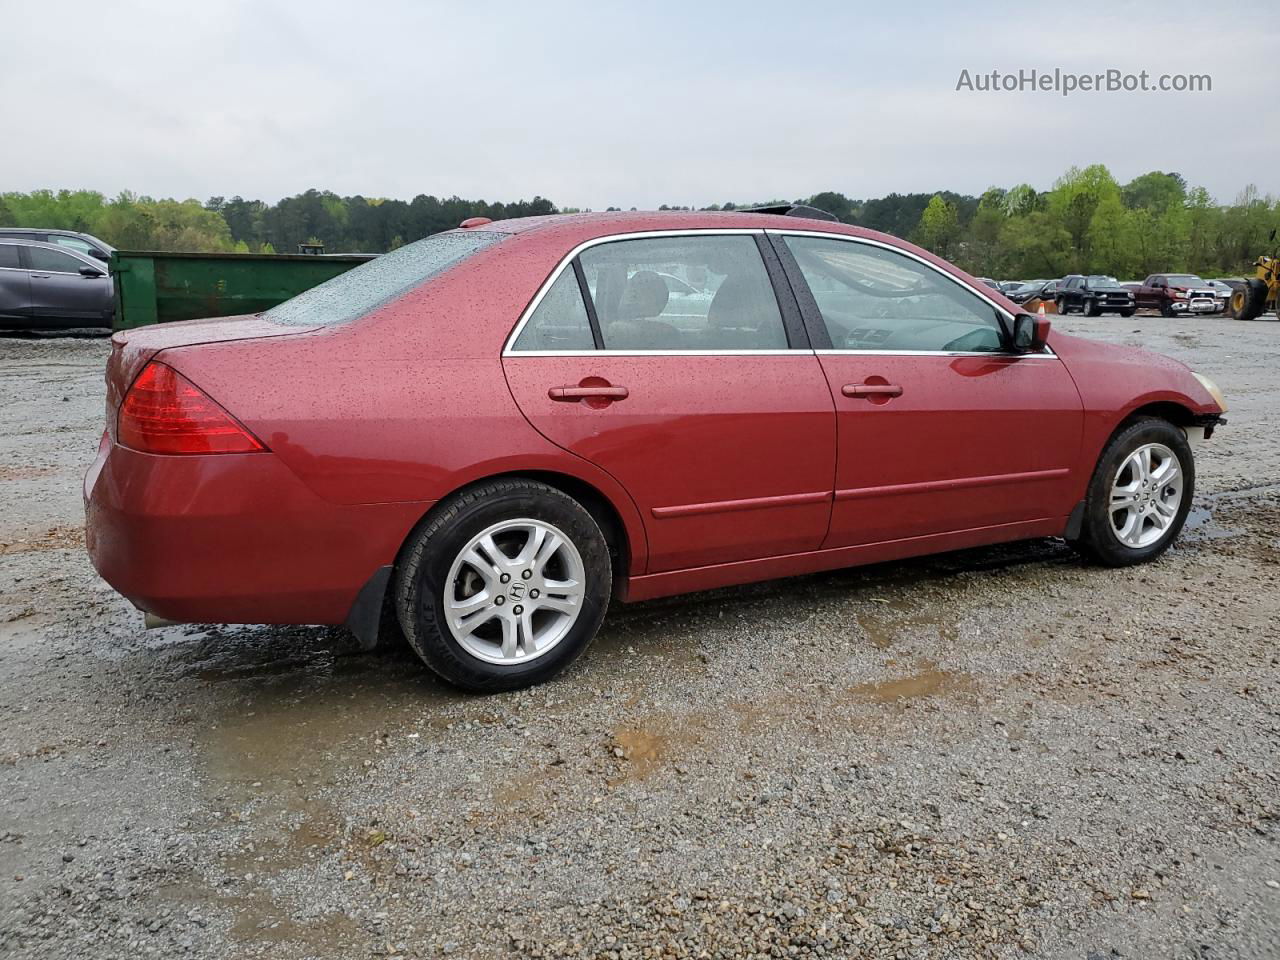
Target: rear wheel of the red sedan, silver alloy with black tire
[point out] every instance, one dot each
(505, 587)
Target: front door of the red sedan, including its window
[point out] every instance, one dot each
(939, 428)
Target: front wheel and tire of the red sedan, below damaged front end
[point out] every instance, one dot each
(1140, 495)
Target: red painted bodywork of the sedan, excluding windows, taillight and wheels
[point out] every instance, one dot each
(720, 469)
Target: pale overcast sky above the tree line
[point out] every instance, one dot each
(629, 104)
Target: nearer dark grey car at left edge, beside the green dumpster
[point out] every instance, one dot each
(44, 286)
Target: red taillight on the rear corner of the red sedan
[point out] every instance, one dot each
(166, 413)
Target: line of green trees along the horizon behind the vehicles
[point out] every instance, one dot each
(1087, 222)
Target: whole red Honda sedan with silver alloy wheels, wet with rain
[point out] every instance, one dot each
(483, 437)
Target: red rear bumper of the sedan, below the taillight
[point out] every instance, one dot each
(232, 538)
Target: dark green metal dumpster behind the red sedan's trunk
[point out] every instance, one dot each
(157, 287)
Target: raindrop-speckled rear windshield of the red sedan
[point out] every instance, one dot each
(369, 286)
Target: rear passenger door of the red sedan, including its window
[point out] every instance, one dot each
(707, 405)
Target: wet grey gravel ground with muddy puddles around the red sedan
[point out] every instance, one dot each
(993, 753)
